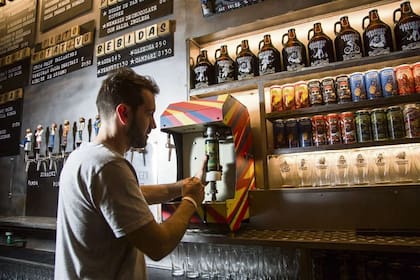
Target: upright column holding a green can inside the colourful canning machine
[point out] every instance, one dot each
(214, 169)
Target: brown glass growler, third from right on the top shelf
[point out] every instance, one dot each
(348, 43)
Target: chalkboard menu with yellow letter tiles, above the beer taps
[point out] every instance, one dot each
(63, 53)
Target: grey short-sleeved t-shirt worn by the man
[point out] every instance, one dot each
(99, 203)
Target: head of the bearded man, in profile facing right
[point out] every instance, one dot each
(129, 99)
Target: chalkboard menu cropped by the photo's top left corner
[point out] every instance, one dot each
(17, 25)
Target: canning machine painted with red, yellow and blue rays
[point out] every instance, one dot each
(219, 127)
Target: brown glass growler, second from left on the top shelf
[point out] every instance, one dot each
(224, 66)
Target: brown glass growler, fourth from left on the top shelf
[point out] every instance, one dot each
(268, 56)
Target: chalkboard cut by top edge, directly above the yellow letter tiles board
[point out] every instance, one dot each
(55, 12)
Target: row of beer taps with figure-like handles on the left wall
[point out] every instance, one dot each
(33, 142)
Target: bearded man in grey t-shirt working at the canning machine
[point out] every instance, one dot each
(104, 224)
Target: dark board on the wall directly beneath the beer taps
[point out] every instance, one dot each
(42, 188)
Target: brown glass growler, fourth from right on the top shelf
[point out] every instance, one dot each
(320, 47)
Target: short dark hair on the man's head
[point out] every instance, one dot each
(123, 86)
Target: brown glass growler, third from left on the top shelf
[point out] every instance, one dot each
(246, 62)
